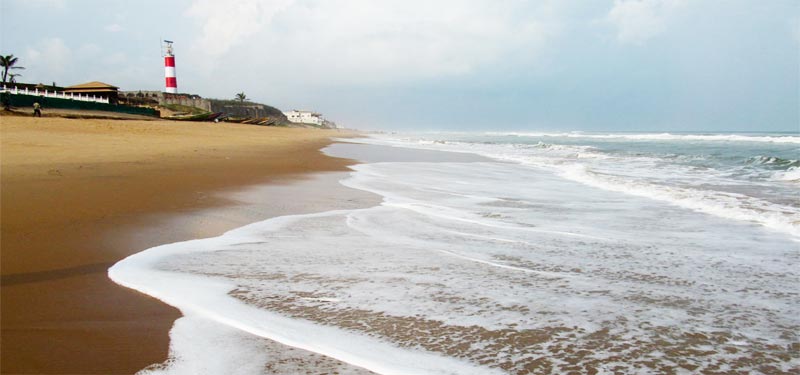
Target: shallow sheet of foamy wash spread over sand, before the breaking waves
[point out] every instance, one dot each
(488, 267)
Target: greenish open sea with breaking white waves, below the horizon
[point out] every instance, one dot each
(690, 179)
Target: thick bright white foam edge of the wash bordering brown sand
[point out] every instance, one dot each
(207, 297)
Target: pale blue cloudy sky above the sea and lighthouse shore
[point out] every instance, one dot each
(471, 65)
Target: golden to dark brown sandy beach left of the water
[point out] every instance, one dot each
(78, 195)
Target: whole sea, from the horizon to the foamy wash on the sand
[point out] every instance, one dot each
(551, 253)
